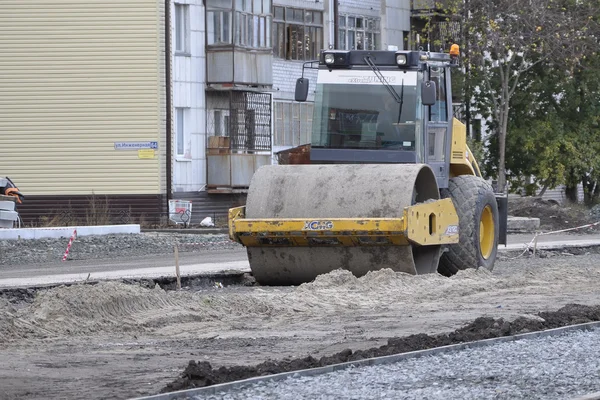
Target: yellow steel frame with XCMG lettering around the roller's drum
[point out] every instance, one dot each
(413, 227)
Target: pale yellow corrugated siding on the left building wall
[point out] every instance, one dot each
(76, 77)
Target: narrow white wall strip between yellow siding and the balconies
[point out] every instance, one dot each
(189, 77)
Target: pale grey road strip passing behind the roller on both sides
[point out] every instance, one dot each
(198, 263)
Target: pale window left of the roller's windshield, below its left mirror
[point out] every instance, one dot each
(293, 123)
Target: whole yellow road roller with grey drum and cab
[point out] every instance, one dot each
(388, 180)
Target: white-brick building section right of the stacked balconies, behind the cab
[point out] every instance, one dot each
(301, 29)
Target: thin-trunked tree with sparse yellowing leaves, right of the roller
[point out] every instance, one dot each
(508, 38)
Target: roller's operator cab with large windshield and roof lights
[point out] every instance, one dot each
(383, 107)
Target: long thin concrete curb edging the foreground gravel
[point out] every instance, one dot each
(186, 394)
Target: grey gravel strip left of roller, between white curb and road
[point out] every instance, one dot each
(19, 252)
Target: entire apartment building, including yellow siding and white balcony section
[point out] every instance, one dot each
(142, 101)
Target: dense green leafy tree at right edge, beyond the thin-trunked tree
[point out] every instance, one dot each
(554, 126)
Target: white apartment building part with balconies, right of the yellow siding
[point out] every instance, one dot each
(254, 50)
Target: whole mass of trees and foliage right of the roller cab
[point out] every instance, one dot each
(531, 70)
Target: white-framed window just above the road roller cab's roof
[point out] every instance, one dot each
(359, 33)
